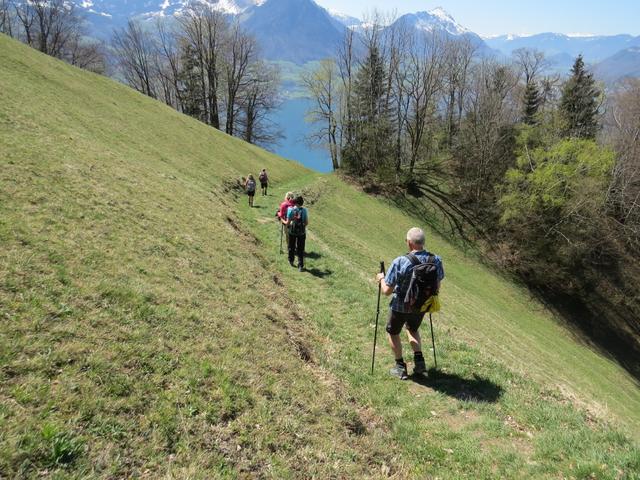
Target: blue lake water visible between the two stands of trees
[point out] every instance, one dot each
(290, 117)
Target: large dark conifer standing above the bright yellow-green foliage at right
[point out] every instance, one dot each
(579, 103)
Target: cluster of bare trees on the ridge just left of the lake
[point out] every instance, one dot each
(205, 66)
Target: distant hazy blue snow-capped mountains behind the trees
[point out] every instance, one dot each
(300, 31)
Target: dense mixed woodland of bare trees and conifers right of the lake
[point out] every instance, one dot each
(546, 169)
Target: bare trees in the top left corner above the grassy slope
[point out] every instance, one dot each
(55, 28)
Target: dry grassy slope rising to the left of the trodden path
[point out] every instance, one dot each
(140, 324)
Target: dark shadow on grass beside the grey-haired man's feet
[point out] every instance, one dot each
(477, 389)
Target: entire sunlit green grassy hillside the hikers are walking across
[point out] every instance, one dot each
(151, 329)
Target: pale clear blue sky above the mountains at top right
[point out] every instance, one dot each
(492, 17)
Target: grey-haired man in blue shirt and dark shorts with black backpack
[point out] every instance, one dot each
(409, 308)
